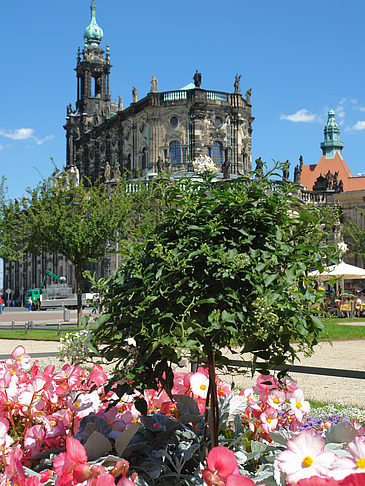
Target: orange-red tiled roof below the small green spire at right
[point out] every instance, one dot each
(311, 172)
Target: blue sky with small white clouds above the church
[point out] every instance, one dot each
(298, 58)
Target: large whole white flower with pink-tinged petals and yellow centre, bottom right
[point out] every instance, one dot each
(305, 457)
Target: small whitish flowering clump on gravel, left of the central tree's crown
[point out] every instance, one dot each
(73, 346)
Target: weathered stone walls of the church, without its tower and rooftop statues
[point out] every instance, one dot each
(162, 131)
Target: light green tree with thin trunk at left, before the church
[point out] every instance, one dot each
(78, 220)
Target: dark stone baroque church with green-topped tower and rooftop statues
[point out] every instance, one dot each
(160, 131)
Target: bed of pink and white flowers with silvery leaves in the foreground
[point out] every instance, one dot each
(64, 428)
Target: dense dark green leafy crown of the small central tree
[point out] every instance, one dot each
(227, 265)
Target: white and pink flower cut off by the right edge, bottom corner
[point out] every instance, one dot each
(344, 466)
